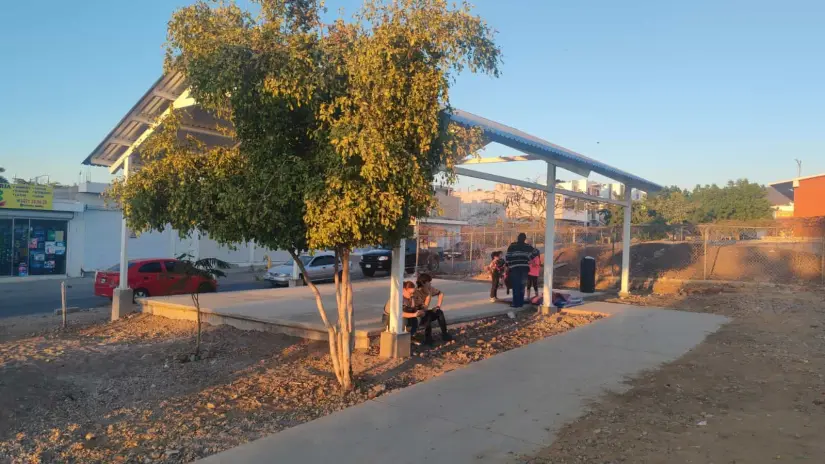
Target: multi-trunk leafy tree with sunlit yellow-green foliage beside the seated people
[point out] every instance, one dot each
(338, 130)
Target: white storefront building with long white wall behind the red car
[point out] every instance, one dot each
(78, 233)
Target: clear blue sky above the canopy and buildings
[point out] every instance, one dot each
(680, 93)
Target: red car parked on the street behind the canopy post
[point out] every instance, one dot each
(152, 277)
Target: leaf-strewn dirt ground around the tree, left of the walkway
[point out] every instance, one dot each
(127, 391)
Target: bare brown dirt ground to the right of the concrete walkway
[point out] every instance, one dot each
(754, 392)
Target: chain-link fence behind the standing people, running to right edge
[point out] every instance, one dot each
(775, 253)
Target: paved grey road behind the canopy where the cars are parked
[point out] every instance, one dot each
(23, 298)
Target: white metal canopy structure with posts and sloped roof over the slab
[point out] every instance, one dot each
(170, 93)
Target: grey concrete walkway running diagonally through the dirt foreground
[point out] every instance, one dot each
(496, 410)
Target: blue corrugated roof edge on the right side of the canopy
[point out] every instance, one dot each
(527, 143)
